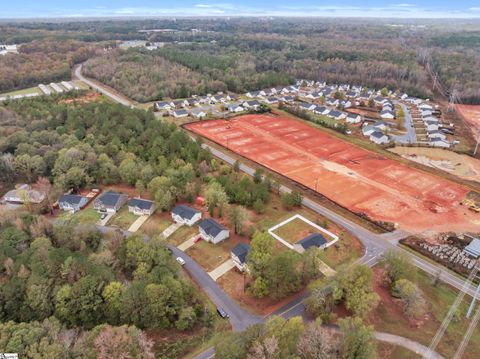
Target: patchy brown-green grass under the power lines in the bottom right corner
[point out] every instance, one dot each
(389, 317)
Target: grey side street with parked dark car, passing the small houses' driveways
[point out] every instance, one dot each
(239, 317)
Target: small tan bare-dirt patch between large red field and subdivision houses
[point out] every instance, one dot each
(462, 166)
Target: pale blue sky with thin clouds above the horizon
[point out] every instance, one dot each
(177, 8)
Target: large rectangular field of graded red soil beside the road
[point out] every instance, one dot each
(355, 178)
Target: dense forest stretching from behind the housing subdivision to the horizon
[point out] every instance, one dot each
(244, 54)
